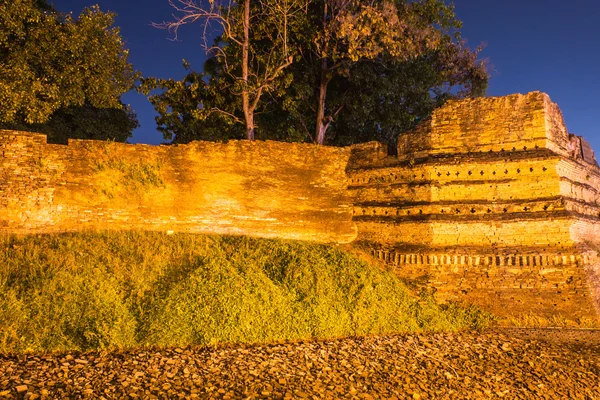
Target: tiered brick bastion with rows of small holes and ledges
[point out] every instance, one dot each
(492, 199)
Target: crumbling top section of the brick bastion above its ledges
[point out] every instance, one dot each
(509, 123)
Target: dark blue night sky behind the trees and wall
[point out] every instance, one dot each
(548, 45)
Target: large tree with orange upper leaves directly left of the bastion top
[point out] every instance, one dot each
(409, 52)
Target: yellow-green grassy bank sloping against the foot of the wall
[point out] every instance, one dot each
(126, 289)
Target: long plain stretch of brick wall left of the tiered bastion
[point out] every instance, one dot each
(267, 189)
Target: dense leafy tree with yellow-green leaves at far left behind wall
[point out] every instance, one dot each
(58, 74)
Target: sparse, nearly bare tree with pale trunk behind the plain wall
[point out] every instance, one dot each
(239, 24)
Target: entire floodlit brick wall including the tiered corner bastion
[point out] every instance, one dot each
(492, 199)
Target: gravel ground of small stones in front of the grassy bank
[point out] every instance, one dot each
(501, 363)
